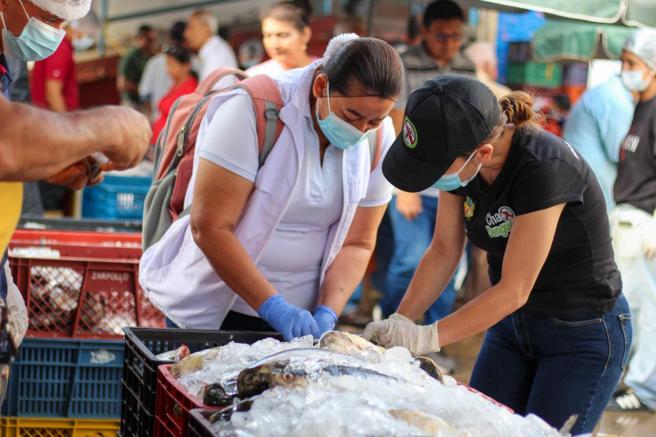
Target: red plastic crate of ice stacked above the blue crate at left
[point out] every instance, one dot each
(90, 291)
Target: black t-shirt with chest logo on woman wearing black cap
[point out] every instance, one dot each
(579, 276)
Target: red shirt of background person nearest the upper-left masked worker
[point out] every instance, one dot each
(58, 66)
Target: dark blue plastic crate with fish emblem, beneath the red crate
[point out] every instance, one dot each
(78, 379)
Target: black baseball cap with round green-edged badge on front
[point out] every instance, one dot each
(448, 117)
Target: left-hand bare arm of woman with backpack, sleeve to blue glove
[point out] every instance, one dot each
(219, 200)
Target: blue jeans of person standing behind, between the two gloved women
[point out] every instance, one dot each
(411, 239)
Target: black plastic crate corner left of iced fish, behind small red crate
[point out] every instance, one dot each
(140, 367)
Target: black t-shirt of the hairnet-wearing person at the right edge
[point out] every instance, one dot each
(636, 172)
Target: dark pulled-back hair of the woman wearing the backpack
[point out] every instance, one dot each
(369, 63)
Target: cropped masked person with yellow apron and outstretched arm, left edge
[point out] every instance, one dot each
(38, 144)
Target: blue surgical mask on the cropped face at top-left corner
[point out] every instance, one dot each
(37, 41)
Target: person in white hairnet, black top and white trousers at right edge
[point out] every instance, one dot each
(633, 222)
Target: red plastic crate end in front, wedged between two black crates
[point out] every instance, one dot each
(174, 405)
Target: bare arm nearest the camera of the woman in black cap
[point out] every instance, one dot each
(528, 246)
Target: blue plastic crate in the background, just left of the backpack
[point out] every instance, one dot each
(117, 197)
